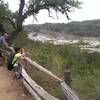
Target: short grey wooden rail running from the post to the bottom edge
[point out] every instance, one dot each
(68, 92)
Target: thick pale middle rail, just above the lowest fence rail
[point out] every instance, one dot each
(40, 91)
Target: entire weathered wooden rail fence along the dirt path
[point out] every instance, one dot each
(37, 91)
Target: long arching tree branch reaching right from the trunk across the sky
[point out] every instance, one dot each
(35, 8)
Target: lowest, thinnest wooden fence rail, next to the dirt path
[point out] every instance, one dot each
(33, 93)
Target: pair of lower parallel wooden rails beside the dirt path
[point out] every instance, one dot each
(39, 91)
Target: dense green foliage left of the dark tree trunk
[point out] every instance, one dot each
(6, 16)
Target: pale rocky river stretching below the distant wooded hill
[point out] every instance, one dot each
(90, 43)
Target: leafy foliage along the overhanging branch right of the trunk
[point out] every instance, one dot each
(63, 6)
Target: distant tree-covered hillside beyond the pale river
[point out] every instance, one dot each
(84, 28)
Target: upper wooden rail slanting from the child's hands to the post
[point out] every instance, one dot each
(33, 63)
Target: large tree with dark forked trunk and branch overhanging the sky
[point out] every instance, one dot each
(34, 6)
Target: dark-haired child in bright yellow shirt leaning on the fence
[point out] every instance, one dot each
(19, 53)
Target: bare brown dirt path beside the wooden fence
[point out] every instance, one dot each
(10, 88)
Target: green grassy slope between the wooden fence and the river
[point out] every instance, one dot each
(84, 67)
